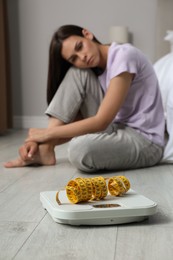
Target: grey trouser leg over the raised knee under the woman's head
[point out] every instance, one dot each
(79, 92)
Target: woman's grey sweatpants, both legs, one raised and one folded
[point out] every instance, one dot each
(118, 147)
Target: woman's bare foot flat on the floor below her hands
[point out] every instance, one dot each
(44, 156)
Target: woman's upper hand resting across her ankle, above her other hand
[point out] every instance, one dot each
(39, 135)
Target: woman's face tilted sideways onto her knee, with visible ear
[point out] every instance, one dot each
(82, 52)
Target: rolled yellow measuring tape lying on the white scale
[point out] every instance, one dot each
(96, 188)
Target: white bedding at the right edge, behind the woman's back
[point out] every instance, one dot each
(163, 69)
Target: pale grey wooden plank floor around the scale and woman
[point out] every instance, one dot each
(28, 232)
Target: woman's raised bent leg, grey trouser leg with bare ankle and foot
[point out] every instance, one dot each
(79, 93)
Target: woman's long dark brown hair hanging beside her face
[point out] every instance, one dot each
(58, 66)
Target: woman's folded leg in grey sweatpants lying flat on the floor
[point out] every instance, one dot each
(118, 148)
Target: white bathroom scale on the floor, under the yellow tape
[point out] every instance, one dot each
(131, 207)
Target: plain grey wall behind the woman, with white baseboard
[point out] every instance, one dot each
(31, 25)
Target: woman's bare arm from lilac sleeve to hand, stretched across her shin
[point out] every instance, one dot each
(109, 107)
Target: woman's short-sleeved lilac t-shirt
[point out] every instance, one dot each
(142, 109)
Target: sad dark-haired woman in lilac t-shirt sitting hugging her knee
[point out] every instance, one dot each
(105, 99)
